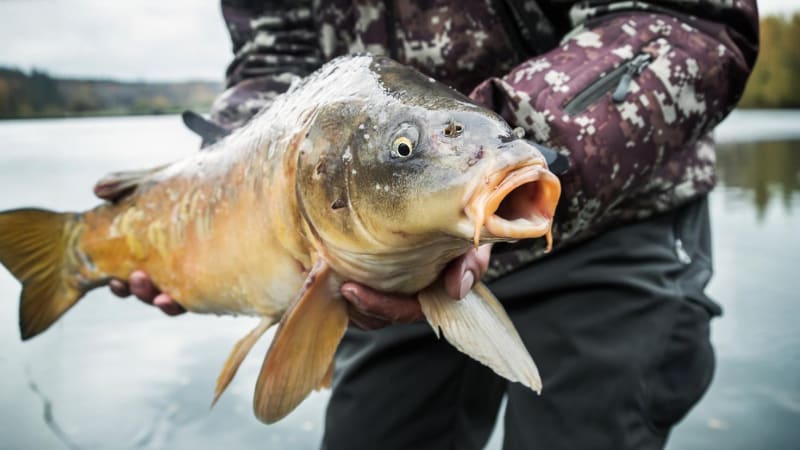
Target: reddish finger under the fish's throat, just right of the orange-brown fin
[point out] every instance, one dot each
(390, 307)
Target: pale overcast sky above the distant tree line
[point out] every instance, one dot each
(134, 39)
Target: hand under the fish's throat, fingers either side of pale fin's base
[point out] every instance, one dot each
(370, 309)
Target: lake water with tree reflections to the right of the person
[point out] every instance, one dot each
(754, 400)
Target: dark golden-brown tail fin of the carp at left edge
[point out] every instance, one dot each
(36, 247)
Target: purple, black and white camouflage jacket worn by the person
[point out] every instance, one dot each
(628, 90)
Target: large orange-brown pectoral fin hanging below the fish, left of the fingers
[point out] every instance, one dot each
(303, 349)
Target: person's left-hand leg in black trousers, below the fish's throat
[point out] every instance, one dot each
(400, 388)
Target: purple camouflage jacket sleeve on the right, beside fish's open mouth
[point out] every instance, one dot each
(629, 96)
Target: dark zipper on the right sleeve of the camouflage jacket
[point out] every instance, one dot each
(617, 81)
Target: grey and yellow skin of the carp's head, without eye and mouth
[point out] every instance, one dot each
(395, 206)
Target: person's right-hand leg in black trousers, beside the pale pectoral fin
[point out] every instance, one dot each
(619, 329)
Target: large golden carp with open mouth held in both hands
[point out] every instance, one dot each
(366, 170)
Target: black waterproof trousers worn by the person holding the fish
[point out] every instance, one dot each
(618, 326)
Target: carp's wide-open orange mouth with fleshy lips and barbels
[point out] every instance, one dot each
(516, 203)
